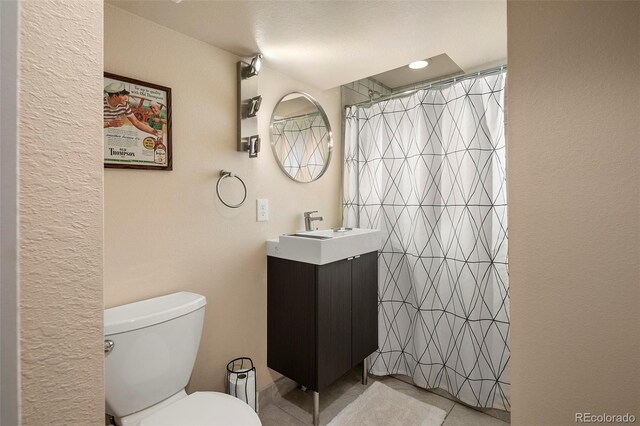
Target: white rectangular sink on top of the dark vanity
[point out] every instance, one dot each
(322, 247)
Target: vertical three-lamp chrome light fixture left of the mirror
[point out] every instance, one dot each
(248, 105)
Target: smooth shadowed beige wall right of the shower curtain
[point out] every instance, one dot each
(574, 128)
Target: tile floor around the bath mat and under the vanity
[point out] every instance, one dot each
(296, 407)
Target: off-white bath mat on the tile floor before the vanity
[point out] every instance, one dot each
(381, 405)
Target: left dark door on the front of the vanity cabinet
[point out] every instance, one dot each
(334, 321)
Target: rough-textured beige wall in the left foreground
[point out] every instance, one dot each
(60, 213)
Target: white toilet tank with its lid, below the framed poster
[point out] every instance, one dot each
(155, 343)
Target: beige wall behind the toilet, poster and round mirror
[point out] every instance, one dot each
(167, 231)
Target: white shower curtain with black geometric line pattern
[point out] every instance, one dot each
(428, 170)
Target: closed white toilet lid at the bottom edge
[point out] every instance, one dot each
(204, 409)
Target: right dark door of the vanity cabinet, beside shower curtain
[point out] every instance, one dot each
(364, 306)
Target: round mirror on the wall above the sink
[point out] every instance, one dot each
(301, 137)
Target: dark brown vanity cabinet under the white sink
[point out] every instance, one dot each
(322, 319)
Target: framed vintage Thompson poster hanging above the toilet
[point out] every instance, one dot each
(137, 124)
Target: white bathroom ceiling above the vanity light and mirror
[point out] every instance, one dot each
(330, 43)
